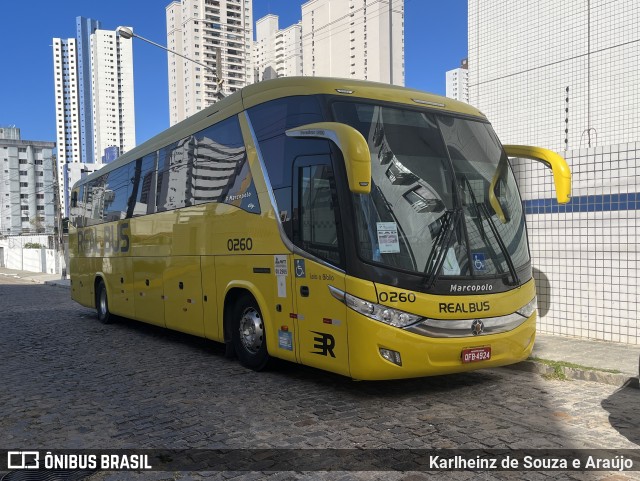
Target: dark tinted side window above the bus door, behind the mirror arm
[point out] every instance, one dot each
(270, 121)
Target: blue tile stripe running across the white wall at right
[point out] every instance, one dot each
(585, 203)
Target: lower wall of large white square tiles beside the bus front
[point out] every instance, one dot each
(587, 263)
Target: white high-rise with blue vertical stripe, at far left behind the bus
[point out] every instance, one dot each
(93, 77)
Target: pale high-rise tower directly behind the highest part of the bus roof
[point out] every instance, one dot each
(359, 39)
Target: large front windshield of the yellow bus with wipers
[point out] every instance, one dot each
(430, 209)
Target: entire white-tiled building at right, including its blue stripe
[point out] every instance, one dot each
(566, 76)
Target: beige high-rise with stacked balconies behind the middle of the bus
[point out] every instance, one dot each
(200, 30)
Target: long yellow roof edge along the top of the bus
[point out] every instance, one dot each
(267, 90)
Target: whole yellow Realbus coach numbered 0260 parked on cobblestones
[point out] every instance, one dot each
(369, 230)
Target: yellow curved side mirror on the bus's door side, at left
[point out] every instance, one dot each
(351, 143)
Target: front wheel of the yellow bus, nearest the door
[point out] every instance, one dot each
(249, 339)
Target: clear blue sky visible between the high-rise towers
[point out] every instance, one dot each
(435, 41)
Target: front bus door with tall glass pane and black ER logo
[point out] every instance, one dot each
(322, 327)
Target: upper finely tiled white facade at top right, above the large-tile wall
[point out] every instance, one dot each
(524, 55)
